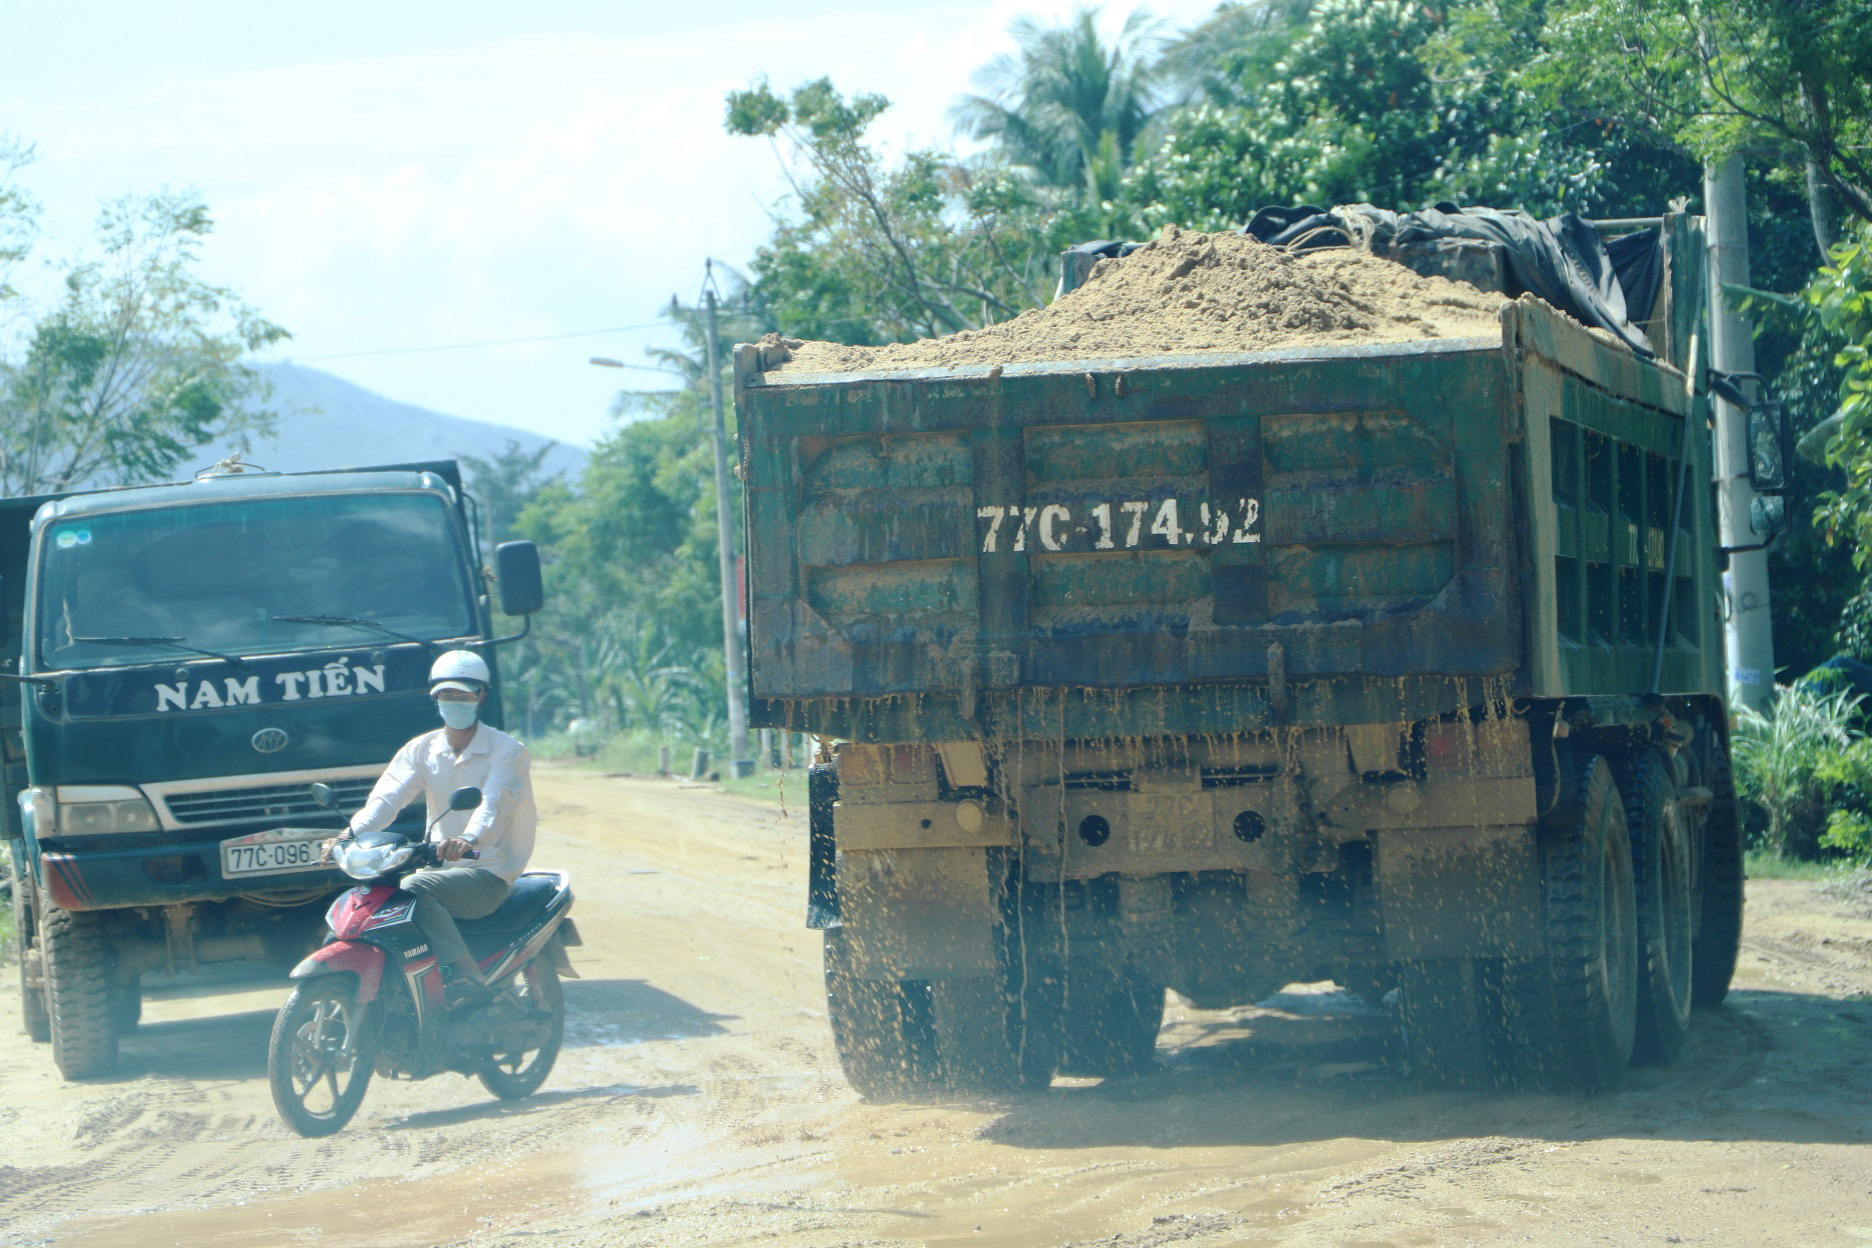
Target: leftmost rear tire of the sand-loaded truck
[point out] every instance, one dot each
(879, 1026)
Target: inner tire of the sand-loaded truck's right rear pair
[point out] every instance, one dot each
(1452, 1019)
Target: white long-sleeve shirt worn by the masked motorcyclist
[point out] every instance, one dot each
(493, 762)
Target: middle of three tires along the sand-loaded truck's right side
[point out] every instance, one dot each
(1667, 918)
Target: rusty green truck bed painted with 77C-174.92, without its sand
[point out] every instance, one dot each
(1201, 544)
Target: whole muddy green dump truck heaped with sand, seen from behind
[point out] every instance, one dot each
(1259, 615)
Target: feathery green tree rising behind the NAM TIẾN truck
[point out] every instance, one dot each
(138, 366)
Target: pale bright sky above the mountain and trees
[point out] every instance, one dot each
(400, 177)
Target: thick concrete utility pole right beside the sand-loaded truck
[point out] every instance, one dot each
(1749, 637)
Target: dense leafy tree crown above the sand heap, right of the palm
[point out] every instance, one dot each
(1397, 104)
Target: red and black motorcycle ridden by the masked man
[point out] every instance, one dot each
(372, 1000)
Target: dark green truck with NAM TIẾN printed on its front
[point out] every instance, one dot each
(184, 663)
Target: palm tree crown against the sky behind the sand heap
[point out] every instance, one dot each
(1070, 108)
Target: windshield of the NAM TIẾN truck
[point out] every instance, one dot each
(227, 577)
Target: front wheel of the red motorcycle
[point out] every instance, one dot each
(317, 1062)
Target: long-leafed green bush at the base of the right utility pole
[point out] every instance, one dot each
(1796, 762)
